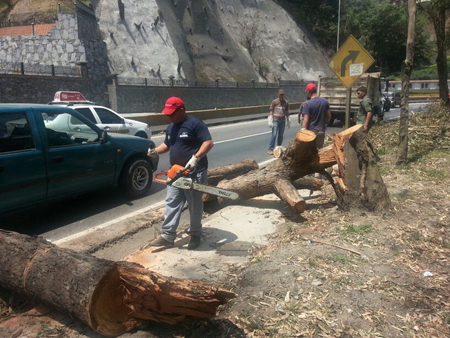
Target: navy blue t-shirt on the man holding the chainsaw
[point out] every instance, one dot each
(184, 140)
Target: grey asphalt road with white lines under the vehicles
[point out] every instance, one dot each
(233, 142)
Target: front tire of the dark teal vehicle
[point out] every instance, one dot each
(136, 178)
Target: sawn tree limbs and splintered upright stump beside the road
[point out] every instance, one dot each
(358, 179)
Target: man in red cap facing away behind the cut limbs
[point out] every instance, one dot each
(316, 114)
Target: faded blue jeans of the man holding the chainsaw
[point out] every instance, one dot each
(175, 200)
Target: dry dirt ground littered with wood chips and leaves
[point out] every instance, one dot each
(394, 284)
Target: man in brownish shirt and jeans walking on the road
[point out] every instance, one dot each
(278, 120)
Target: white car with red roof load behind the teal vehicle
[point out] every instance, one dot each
(103, 117)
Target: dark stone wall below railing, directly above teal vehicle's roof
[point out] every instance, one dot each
(36, 89)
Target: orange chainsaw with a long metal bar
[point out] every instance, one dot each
(177, 176)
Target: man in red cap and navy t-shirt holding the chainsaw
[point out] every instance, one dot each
(188, 140)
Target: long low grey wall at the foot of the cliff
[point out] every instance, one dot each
(139, 99)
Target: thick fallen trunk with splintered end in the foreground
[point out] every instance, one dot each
(110, 297)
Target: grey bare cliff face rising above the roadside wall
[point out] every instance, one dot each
(234, 40)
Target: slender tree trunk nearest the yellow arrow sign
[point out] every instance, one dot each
(406, 76)
